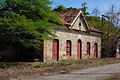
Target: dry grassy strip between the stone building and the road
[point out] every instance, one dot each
(20, 70)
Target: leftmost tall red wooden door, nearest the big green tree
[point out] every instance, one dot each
(55, 50)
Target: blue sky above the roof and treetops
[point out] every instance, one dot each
(103, 5)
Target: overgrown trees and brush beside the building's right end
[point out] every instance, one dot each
(110, 34)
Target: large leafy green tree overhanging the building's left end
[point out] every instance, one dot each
(27, 22)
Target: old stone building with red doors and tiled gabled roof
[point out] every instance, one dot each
(77, 41)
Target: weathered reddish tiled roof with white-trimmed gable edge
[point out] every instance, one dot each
(68, 18)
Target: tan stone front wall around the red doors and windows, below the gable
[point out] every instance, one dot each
(63, 36)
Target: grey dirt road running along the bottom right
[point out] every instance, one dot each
(96, 73)
